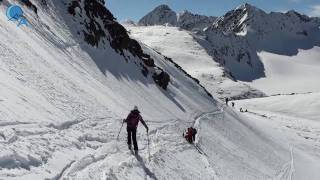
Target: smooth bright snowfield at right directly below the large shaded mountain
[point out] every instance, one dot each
(290, 74)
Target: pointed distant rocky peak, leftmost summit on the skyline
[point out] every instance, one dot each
(159, 16)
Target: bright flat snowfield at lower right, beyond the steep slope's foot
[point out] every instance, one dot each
(292, 120)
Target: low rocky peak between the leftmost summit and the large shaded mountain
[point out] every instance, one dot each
(190, 21)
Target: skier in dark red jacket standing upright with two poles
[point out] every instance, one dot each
(132, 123)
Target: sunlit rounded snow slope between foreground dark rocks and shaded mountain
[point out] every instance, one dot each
(181, 46)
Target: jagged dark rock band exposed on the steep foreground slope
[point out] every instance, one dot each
(100, 26)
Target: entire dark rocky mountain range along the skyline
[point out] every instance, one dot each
(234, 39)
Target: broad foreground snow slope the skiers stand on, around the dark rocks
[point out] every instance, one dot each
(61, 112)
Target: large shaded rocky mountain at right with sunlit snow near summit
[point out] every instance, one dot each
(237, 36)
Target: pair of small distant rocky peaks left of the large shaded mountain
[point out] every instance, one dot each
(163, 15)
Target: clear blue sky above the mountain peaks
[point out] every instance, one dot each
(135, 9)
